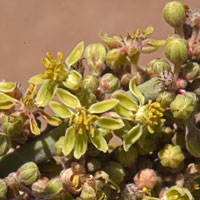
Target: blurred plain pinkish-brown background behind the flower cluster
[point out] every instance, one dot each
(30, 28)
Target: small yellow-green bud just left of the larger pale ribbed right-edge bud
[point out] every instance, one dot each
(165, 98)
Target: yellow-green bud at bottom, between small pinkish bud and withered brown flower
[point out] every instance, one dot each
(53, 186)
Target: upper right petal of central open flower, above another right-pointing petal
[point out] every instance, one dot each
(103, 106)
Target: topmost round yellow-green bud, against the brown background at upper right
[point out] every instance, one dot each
(174, 13)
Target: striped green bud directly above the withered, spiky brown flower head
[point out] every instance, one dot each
(156, 66)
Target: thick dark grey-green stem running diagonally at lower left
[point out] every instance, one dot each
(37, 151)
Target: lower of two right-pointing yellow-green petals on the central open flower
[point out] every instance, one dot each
(109, 123)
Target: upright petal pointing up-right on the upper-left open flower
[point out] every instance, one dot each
(75, 55)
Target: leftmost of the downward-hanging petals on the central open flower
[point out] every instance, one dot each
(69, 141)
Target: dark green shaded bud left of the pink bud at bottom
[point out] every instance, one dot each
(115, 171)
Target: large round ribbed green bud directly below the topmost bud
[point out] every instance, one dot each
(176, 50)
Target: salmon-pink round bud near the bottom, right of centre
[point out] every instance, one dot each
(146, 178)
